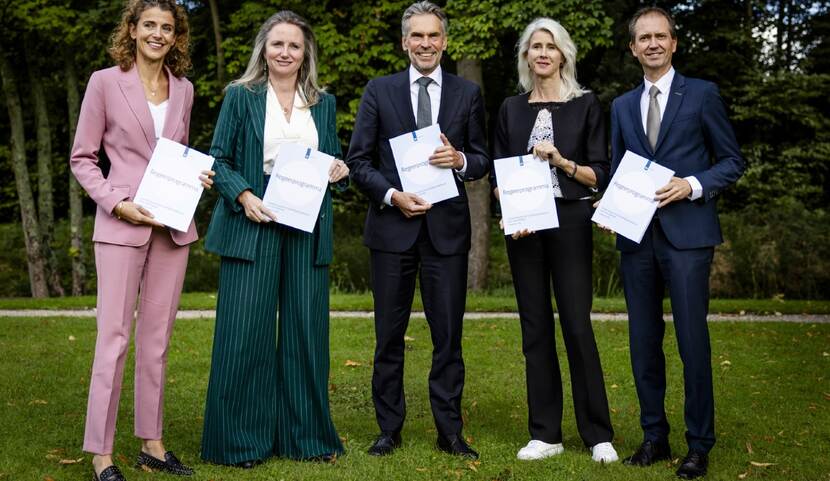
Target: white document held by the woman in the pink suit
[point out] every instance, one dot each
(172, 184)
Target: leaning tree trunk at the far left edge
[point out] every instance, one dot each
(31, 229)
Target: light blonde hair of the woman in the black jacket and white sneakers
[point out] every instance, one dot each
(569, 87)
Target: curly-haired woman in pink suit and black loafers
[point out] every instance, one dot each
(126, 108)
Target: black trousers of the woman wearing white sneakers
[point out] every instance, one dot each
(561, 256)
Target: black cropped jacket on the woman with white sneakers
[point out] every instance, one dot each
(578, 130)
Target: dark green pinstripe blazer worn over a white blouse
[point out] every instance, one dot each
(237, 149)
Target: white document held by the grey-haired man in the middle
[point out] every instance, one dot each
(418, 176)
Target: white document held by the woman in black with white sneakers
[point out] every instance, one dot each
(525, 194)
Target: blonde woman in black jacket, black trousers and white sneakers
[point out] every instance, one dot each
(562, 123)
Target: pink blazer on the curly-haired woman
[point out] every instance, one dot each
(115, 115)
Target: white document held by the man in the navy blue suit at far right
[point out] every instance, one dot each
(629, 202)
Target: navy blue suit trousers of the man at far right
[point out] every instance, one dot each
(646, 272)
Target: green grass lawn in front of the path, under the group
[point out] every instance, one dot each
(772, 388)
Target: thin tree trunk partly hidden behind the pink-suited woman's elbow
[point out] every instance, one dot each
(76, 212)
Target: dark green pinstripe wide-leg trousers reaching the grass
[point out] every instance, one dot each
(268, 389)
